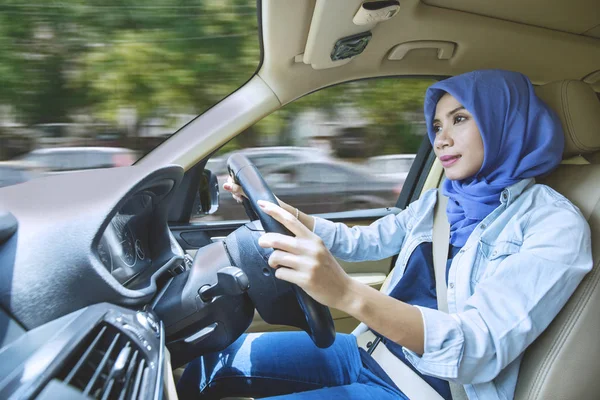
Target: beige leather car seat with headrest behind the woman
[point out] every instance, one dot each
(564, 362)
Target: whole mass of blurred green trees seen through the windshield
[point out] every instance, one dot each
(64, 58)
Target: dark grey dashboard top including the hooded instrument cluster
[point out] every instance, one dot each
(84, 238)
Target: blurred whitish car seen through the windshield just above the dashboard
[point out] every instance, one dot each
(60, 159)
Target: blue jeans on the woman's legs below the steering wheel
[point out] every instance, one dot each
(286, 365)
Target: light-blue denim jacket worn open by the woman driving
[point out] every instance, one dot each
(514, 274)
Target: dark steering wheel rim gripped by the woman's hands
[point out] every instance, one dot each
(319, 323)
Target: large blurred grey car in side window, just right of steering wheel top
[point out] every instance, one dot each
(320, 187)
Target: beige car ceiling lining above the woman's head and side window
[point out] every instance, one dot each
(547, 40)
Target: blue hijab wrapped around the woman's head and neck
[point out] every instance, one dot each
(522, 138)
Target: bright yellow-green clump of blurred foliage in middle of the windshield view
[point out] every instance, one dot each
(134, 78)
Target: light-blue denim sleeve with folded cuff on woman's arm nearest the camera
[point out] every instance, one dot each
(510, 308)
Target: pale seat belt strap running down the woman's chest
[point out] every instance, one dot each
(440, 246)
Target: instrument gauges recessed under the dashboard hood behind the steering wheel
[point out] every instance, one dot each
(124, 246)
